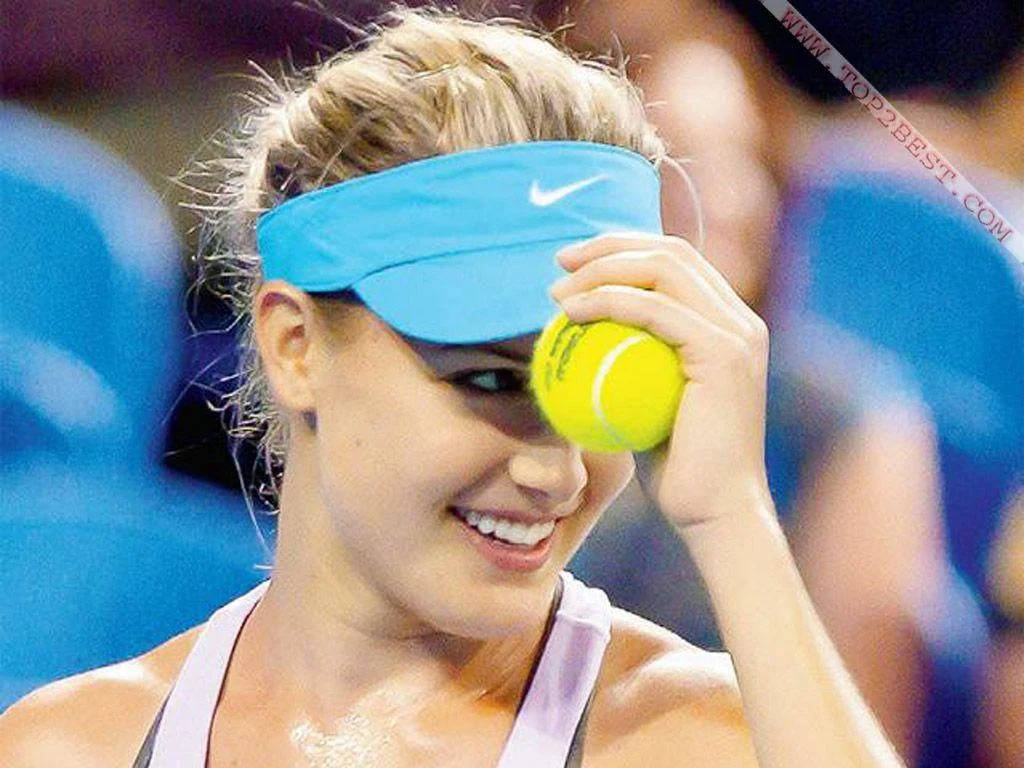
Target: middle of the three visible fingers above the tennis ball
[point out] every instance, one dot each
(655, 271)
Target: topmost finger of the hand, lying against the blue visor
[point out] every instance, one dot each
(572, 258)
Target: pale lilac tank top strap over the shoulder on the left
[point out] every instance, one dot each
(184, 736)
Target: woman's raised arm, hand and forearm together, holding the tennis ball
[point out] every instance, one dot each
(710, 482)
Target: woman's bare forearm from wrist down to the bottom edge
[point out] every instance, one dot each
(802, 706)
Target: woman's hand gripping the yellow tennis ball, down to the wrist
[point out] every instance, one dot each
(663, 285)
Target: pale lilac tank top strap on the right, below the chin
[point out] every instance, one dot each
(563, 686)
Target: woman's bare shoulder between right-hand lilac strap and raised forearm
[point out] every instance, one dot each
(662, 701)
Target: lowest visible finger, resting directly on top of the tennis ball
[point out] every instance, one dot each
(699, 338)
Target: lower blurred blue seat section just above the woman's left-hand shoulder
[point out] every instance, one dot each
(101, 564)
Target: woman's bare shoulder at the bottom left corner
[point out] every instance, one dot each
(100, 717)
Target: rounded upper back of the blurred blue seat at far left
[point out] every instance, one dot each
(92, 265)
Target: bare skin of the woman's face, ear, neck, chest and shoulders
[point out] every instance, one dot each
(385, 639)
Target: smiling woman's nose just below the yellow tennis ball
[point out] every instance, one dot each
(553, 470)
